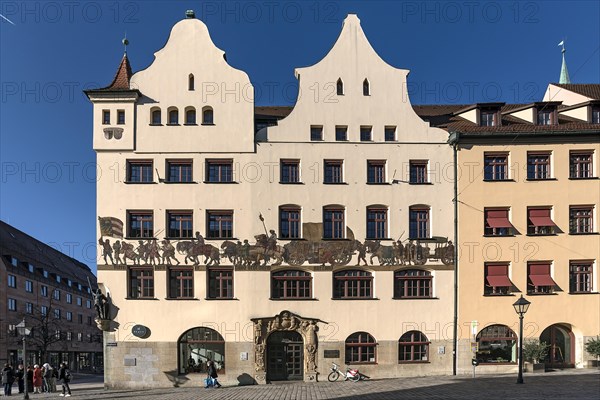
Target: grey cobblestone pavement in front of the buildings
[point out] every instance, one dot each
(570, 385)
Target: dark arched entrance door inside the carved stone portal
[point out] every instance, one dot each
(285, 356)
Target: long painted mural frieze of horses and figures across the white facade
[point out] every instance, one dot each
(266, 251)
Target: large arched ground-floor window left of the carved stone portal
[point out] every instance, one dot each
(198, 345)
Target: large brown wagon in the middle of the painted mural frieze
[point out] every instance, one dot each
(314, 249)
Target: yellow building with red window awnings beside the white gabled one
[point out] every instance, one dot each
(528, 198)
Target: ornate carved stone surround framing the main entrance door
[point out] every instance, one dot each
(286, 321)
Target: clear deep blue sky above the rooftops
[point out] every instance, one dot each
(458, 52)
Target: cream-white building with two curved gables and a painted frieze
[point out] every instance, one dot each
(349, 176)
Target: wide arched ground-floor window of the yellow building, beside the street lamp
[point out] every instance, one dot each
(497, 344)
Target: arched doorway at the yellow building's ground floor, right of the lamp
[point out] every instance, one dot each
(561, 353)
